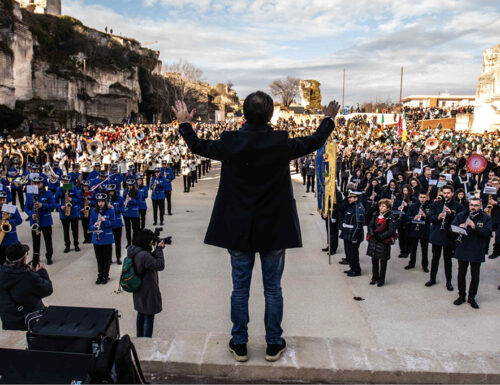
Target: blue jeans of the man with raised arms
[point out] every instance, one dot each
(273, 263)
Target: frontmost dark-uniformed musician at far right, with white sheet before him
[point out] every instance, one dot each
(471, 248)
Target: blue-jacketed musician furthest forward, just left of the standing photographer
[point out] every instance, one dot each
(101, 220)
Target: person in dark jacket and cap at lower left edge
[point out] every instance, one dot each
(22, 287)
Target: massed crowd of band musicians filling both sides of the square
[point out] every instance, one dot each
(410, 193)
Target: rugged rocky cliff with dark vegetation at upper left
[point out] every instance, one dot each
(58, 72)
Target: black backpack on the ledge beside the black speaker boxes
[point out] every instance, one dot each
(117, 363)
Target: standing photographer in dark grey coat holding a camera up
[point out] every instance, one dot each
(147, 263)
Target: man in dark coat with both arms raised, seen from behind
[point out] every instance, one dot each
(254, 210)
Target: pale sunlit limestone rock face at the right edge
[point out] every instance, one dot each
(487, 108)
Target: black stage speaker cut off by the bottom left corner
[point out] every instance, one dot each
(36, 367)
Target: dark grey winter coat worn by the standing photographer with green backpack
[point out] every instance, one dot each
(147, 299)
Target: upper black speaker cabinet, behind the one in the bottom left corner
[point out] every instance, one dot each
(73, 329)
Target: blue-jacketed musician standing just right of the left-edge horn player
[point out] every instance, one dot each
(39, 209)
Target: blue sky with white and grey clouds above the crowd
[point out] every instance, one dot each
(253, 42)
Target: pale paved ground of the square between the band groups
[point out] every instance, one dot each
(318, 297)
